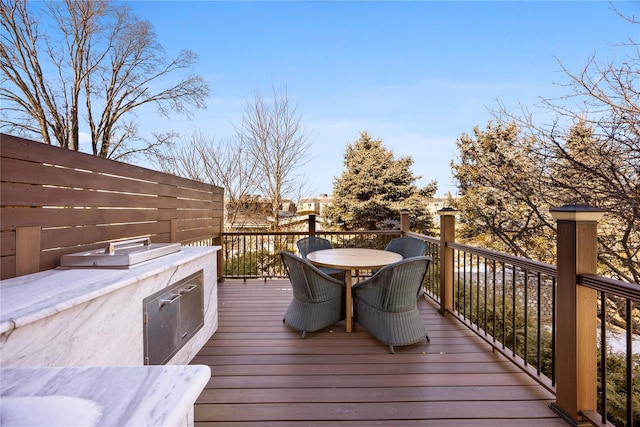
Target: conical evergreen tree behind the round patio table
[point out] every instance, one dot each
(375, 187)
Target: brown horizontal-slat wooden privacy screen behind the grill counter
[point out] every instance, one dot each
(56, 201)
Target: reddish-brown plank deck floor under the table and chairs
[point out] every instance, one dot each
(264, 374)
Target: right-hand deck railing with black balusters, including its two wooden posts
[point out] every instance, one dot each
(545, 318)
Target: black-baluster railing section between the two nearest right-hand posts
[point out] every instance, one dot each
(509, 302)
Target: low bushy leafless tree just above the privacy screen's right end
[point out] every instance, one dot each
(202, 158)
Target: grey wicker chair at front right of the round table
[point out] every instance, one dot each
(386, 303)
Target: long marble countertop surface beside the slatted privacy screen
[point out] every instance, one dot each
(32, 297)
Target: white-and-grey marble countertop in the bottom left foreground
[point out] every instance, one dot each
(100, 396)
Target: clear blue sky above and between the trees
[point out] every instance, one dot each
(415, 74)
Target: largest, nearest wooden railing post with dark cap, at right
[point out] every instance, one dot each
(576, 311)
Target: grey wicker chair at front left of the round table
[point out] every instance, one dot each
(318, 299)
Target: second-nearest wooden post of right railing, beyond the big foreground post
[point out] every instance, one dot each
(447, 234)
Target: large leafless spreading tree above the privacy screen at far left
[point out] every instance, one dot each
(96, 62)
